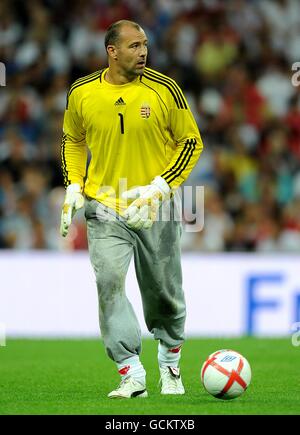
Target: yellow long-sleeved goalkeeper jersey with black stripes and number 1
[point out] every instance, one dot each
(133, 132)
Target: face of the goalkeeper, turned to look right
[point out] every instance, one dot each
(131, 51)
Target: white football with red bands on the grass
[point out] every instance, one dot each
(226, 374)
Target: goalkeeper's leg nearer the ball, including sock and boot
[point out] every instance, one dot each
(158, 269)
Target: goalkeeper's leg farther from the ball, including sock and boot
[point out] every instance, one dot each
(111, 248)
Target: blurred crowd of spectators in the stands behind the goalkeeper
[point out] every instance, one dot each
(233, 60)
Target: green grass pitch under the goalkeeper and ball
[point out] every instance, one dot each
(74, 377)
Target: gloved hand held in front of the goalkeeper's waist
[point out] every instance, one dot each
(142, 212)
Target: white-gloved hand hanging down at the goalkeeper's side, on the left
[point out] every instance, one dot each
(74, 200)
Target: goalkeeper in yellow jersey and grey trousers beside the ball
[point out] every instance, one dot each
(143, 143)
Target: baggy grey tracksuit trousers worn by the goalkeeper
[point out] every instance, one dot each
(158, 269)
